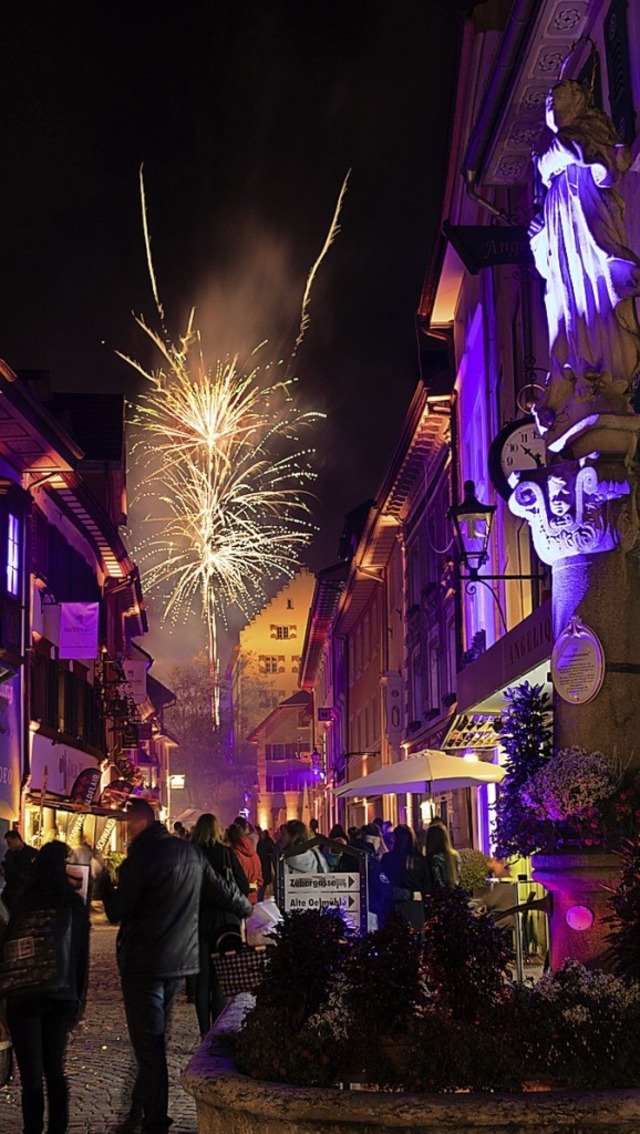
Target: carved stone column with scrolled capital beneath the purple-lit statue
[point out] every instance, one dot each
(584, 520)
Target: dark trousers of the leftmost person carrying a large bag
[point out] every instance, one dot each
(40, 1029)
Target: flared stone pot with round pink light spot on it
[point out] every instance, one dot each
(582, 886)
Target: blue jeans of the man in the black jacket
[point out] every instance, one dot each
(148, 1008)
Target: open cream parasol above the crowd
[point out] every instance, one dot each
(427, 773)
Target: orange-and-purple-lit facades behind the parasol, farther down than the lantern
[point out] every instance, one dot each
(382, 646)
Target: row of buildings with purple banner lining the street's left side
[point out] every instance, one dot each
(73, 689)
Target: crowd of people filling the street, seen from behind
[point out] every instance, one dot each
(179, 899)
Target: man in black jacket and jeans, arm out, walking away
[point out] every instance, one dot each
(157, 904)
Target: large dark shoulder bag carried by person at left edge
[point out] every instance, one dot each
(37, 953)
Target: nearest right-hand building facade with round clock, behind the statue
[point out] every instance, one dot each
(484, 291)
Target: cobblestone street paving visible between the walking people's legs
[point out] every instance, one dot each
(100, 1063)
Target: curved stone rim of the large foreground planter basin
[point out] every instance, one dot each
(229, 1103)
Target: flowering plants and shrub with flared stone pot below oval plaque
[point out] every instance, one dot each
(570, 810)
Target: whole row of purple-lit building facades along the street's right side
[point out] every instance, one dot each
(449, 650)
